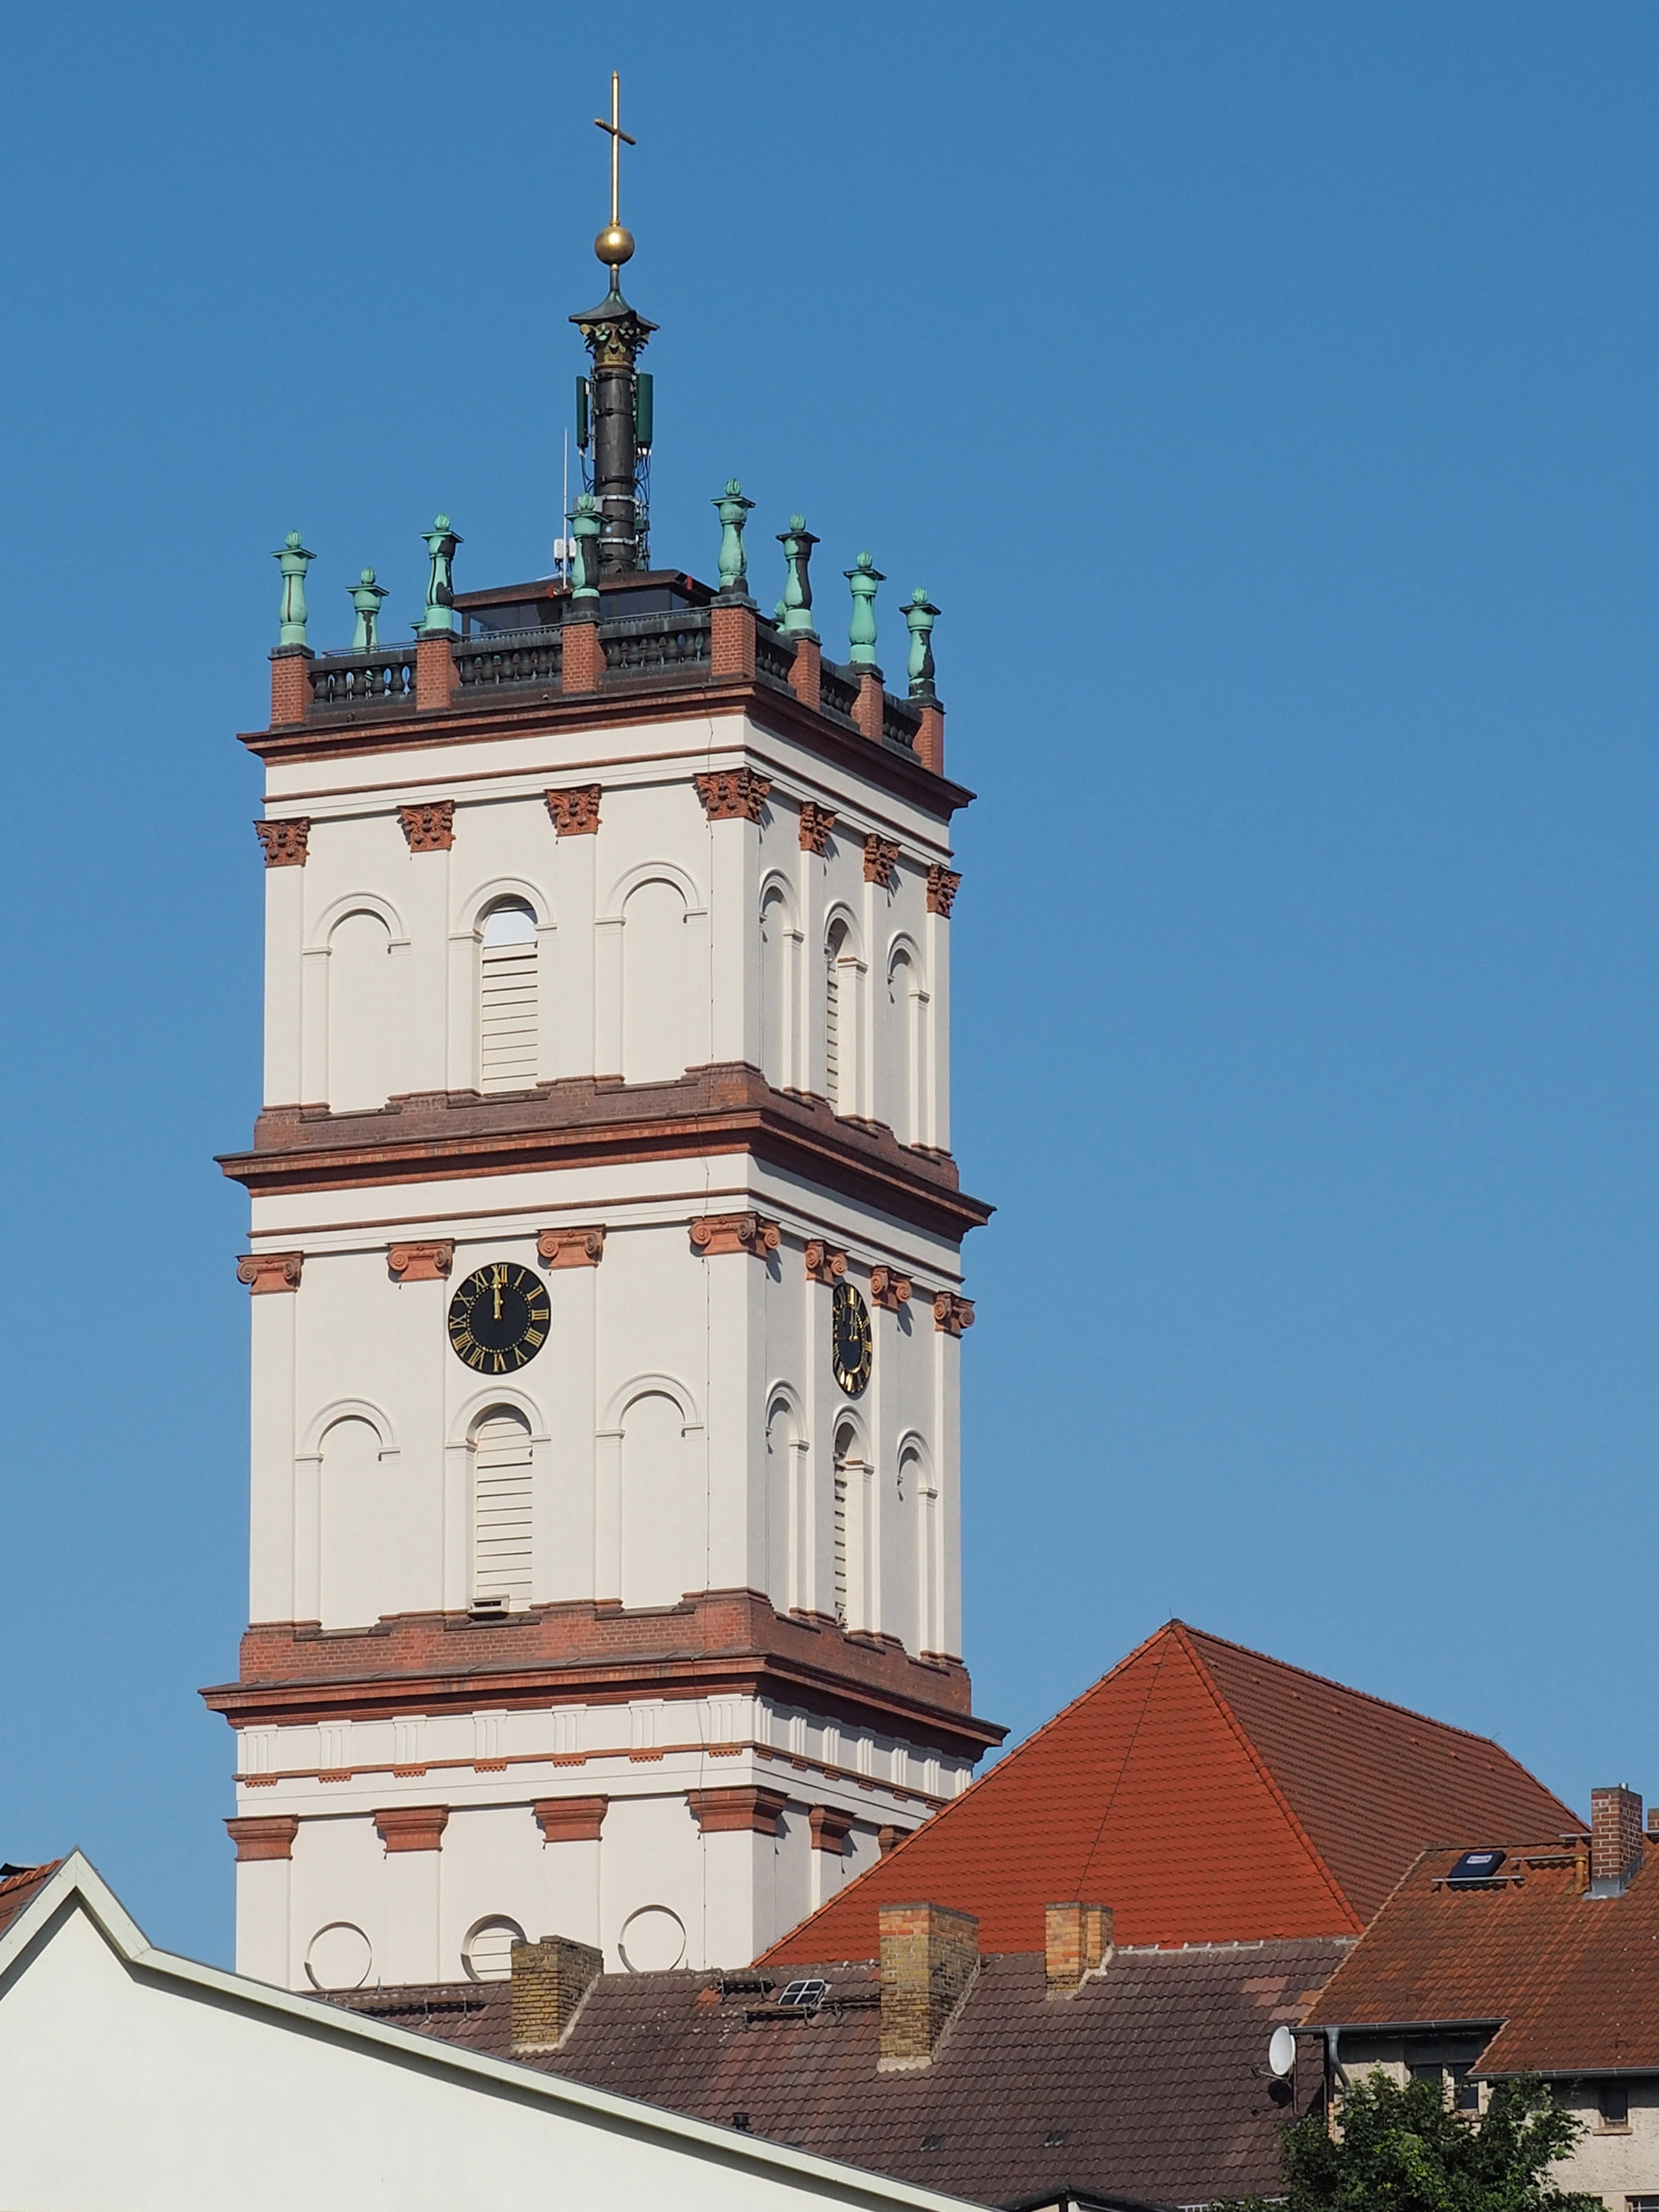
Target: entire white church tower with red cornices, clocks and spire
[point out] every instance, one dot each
(605, 1260)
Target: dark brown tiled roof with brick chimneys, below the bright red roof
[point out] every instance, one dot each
(1145, 2085)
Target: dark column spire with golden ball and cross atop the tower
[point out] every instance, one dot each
(614, 408)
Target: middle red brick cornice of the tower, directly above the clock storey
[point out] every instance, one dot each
(585, 1123)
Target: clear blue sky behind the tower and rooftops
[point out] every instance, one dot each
(1269, 397)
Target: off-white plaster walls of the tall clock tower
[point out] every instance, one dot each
(649, 1406)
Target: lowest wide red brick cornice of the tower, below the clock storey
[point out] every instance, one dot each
(716, 1645)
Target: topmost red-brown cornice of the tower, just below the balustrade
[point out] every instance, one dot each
(623, 707)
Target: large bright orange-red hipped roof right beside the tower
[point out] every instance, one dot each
(1207, 1795)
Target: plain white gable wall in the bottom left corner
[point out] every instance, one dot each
(163, 2094)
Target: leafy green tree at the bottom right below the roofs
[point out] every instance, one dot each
(1410, 2151)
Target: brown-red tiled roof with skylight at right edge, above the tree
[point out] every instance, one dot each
(1569, 1976)
